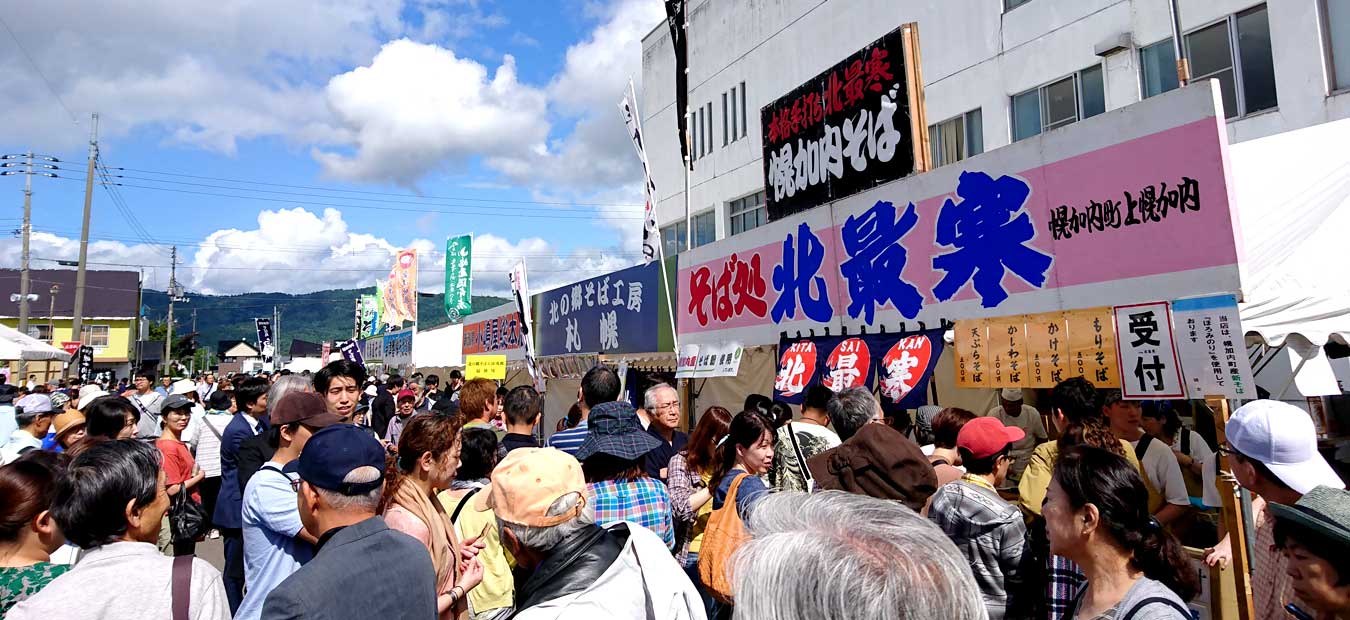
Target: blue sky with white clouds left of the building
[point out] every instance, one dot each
(421, 120)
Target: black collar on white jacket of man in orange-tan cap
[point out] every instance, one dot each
(574, 565)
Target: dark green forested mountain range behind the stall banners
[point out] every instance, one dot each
(323, 315)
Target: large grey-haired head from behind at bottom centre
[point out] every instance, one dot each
(871, 560)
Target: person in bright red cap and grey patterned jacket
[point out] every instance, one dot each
(985, 527)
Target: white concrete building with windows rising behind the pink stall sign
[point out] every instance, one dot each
(994, 71)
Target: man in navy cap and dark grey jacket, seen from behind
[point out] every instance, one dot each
(341, 482)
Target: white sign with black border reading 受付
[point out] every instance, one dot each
(1150, 367)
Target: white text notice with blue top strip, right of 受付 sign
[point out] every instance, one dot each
(1212, 348)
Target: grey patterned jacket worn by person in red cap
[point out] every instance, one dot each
(993, 537)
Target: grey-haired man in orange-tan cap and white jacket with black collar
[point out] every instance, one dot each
(578, 569)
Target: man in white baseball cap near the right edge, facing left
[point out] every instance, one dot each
(1275, 455)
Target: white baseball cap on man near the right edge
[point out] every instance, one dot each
(1282, 437)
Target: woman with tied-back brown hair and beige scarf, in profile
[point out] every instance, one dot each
(425, 465)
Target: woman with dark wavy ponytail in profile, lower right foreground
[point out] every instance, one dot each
(1097, 515)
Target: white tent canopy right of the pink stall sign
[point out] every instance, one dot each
(1293, 191)
